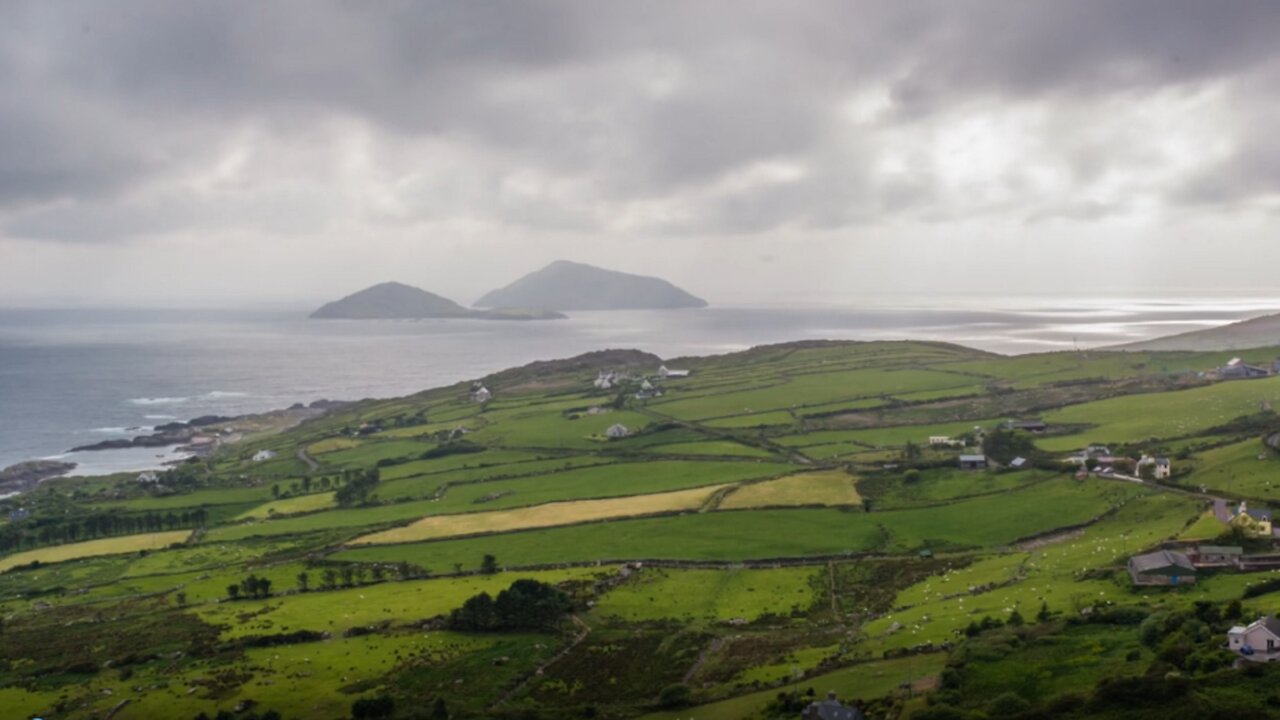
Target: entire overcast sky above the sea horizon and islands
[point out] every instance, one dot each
(231, 154)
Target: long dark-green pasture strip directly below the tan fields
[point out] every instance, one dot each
(744, 535)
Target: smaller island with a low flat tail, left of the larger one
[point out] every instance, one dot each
(400, 302)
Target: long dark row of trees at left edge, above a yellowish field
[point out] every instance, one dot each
(38, 532)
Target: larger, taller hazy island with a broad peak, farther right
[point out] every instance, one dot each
(575, 286)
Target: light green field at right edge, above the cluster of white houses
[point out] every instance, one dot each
(1162, 416)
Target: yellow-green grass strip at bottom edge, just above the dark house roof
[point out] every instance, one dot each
(860, 682)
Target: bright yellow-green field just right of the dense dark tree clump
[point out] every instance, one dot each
(659, 594)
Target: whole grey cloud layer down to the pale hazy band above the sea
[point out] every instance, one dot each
(144, 120)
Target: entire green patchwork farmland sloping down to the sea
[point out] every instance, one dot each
(765, 528)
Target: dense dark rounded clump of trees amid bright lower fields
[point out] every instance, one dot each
(527, 605)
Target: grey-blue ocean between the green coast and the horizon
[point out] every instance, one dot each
(76, 377)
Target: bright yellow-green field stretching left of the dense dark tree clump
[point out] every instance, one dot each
(340, 610)
